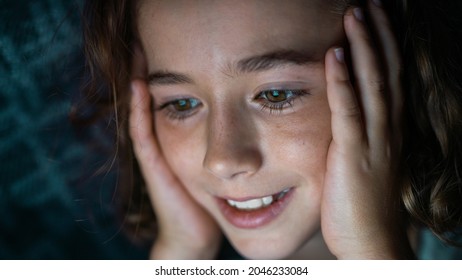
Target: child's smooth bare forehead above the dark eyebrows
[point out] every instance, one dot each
(230, 29)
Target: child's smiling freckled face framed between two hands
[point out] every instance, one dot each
(241, 111)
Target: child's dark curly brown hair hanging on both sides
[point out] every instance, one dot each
(429, 34)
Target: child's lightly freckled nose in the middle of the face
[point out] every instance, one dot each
(232, 146)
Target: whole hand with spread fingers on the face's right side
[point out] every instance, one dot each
(360, 212)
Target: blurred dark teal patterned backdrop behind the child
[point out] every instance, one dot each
(52, 203)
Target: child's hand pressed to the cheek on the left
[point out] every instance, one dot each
(186, 231)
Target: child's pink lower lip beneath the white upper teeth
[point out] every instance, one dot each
(249, 219)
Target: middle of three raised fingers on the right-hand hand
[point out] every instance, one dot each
(368, 77)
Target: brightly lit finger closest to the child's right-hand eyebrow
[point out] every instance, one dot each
(346, 121)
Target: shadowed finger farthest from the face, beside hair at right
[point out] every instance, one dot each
(392, 57)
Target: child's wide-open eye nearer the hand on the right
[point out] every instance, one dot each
(279, 99)
